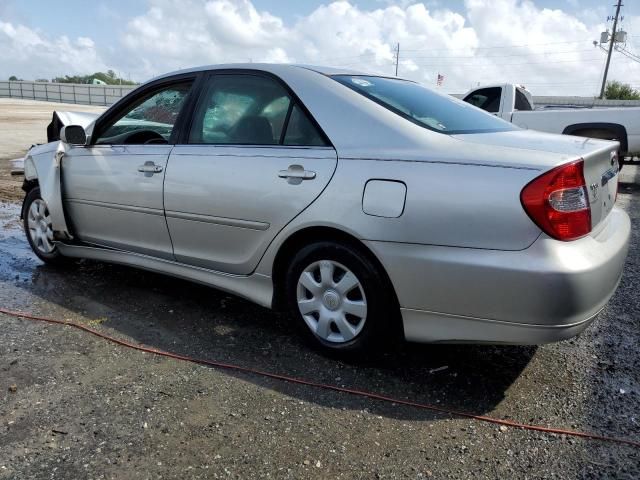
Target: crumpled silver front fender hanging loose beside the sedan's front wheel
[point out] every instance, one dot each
(43, 164)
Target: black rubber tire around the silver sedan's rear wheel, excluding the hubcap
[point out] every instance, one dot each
(380, 304)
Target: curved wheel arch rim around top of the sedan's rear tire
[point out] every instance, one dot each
(314, 234)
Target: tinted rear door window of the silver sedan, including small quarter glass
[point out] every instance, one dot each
(243, 109)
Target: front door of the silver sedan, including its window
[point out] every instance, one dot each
(113, 187)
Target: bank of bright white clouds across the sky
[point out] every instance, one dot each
(553, 53)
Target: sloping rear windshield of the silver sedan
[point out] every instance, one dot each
(435, 111)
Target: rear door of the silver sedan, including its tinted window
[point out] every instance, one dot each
(253, 160)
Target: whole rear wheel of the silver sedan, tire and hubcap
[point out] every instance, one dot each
(341, 299)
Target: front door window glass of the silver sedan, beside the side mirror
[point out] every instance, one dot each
(150, 120)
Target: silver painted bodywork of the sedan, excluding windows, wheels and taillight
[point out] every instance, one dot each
(463, 256)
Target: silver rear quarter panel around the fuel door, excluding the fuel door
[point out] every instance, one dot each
(458, 205)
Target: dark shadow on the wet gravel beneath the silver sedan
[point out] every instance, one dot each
(193, 320)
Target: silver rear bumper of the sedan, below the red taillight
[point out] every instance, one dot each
(547, 292)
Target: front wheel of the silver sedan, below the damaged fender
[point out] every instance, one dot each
(37, 227)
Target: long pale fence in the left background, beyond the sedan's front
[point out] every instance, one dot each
(65, 92)
